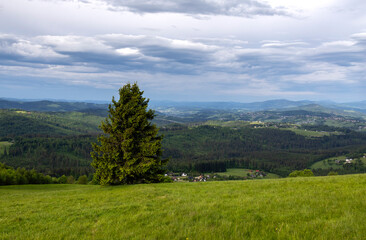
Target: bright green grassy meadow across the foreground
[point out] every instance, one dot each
(300, 208)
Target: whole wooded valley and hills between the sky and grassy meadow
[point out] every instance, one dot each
(198, 138)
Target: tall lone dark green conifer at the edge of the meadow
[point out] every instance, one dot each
(129, 151)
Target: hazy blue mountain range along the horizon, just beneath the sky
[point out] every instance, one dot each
(166, 107)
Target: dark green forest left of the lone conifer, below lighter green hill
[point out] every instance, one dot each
(52, 155)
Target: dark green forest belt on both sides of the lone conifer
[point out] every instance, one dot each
(203, 149)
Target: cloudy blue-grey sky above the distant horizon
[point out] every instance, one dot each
(184, 50)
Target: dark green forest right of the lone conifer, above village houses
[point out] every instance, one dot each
(213, 148)
